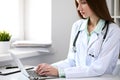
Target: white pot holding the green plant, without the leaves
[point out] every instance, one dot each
(4, 47)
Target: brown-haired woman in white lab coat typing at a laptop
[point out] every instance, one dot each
(94, 45)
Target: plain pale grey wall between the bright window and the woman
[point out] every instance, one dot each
(64, 14)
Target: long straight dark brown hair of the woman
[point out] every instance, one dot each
(99, 7)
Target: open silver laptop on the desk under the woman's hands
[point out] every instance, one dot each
(31, 74)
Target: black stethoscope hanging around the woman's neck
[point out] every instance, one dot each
(76, 37)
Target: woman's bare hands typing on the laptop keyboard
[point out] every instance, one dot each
(46, 70)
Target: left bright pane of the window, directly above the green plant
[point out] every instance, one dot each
(9, 17)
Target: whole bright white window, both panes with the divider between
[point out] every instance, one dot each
(26, 19)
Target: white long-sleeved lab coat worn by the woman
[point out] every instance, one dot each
(80, 64)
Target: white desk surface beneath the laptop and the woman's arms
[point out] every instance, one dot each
(20, 76)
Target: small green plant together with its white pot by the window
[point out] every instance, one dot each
(4, 41)
